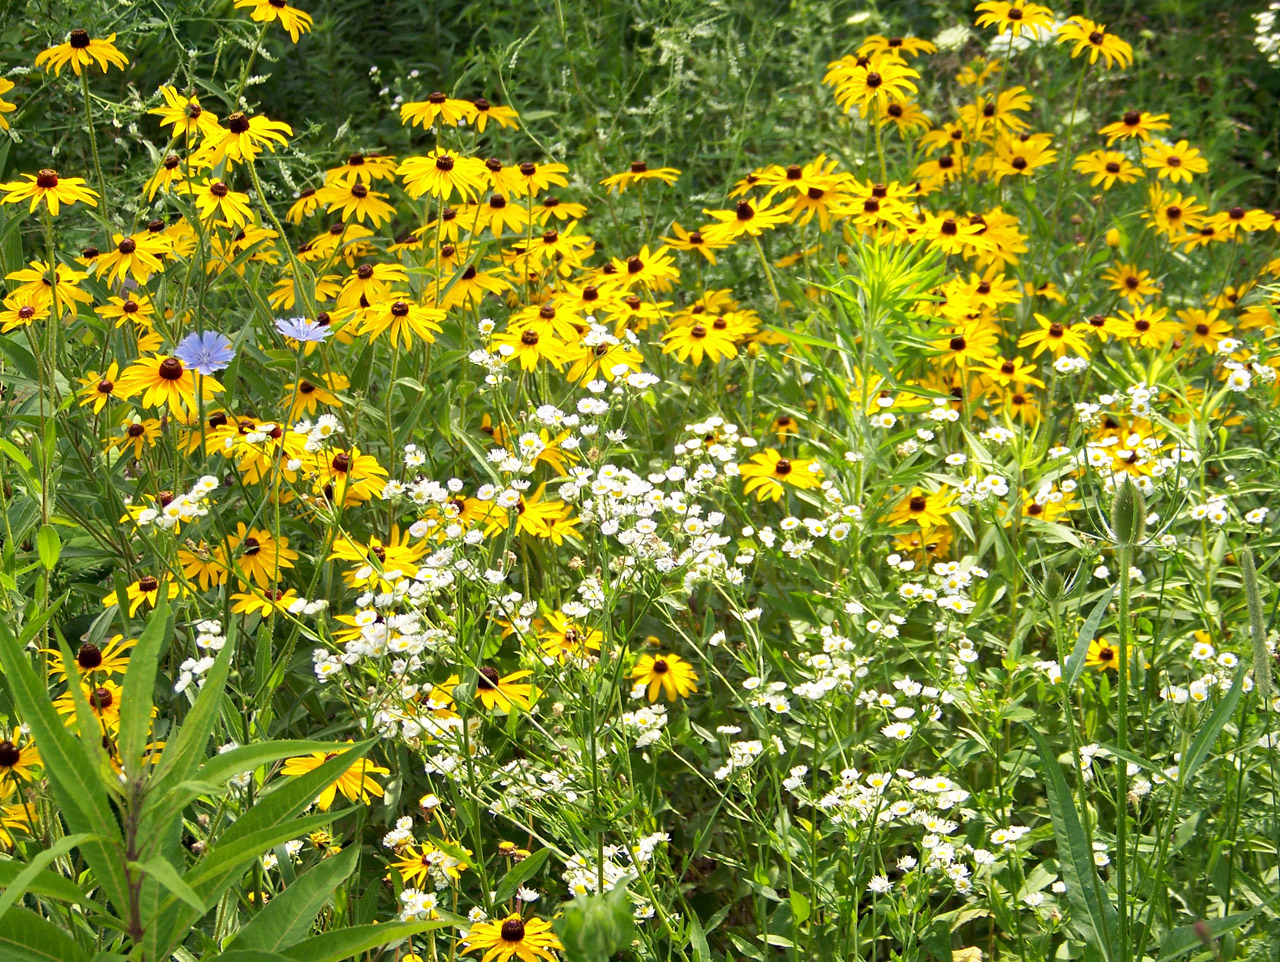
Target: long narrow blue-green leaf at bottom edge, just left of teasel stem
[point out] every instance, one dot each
(1092, 914)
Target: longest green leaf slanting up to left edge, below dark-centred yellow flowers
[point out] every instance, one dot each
(79, 791)
